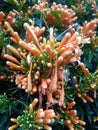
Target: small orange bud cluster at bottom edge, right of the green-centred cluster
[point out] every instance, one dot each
(69, 117)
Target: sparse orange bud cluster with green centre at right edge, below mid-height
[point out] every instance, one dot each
(89, 82)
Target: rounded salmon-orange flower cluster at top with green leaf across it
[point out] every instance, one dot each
(57, 14)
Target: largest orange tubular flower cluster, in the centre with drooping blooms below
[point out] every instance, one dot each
(40, 61)
